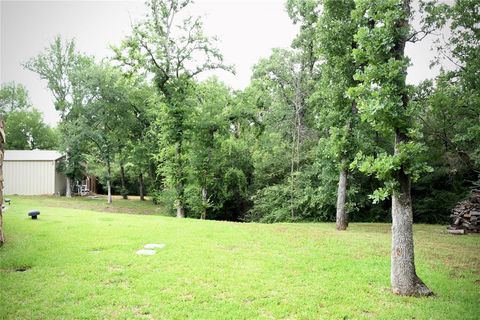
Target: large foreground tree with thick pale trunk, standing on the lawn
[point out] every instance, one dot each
(383, 101)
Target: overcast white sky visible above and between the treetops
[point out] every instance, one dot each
(247, 29)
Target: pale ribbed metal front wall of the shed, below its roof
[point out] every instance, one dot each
(29, 177)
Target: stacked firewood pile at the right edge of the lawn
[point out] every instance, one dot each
(466, 215)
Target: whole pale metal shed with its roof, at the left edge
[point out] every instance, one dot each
(32, 172)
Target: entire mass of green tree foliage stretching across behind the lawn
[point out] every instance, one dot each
(272, 152)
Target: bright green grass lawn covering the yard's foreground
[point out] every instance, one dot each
(81, 264)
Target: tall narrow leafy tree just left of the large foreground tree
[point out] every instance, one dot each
(336, 31)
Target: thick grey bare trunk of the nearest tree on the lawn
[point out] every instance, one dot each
(404, 279)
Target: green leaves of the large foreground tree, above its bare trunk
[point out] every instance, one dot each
(382, 95)
